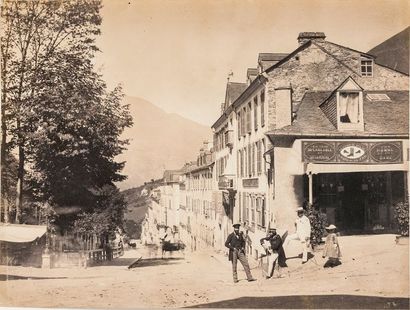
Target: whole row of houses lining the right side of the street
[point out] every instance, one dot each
(324, 124)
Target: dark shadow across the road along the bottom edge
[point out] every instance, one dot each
(311, 302)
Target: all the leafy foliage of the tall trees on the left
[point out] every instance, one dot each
(59, 116)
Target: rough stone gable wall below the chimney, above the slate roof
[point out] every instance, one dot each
(317, 70)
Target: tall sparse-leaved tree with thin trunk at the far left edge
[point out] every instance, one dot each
(35, 33)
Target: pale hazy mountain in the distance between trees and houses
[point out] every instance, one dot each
(158, 141)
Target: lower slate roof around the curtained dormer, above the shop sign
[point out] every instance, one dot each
(381, 118)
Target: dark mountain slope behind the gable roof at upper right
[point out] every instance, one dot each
(394, 52)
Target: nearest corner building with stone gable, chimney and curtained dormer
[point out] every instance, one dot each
(271, 179)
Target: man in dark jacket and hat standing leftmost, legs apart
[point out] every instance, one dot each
(236, 244)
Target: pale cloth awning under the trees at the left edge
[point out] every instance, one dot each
(21, 233)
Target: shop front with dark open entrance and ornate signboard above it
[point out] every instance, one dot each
(355, 183)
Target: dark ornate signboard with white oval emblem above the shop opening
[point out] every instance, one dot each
(352, 152)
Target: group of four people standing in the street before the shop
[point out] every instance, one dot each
(273, 245)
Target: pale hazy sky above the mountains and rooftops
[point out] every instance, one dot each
(177, 54)
